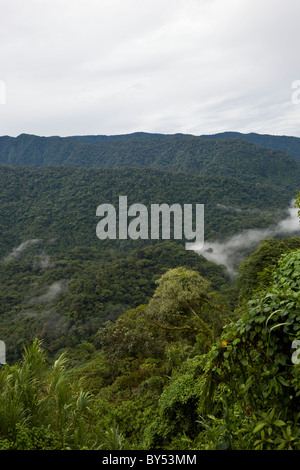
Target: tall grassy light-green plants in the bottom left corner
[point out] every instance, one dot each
(39, 409)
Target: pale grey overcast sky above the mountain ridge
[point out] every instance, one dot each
(70, 67)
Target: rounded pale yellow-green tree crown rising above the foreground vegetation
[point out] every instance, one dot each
(183, 307)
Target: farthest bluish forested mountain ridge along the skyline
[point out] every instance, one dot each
(236, 158)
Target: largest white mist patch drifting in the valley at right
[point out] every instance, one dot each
(229, 252)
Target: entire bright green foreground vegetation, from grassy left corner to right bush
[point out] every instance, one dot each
(179, 372)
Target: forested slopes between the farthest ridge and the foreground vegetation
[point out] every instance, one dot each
(64, 273)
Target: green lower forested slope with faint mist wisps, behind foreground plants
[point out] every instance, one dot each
(87, 295)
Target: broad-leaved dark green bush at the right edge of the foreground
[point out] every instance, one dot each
(253, 358)
